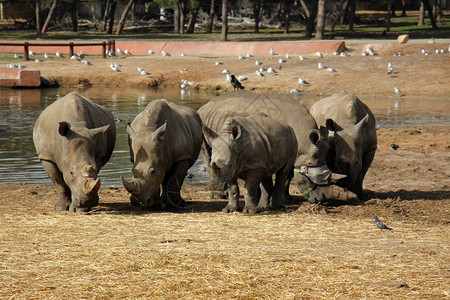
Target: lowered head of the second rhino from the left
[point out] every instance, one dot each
(148, 151)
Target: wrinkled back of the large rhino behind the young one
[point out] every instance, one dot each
(282, 108)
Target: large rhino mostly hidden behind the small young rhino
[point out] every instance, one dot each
(312, 142)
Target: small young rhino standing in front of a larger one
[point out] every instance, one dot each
(253, 148)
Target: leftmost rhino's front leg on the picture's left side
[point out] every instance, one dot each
(63, 190)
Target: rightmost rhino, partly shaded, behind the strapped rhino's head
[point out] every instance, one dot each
(352, 136)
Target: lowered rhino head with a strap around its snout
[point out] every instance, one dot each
(310, 169)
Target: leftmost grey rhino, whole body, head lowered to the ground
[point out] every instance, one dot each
(74, 137)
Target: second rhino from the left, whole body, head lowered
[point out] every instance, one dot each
(165, 140)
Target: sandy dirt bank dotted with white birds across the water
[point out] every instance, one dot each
(414, 73)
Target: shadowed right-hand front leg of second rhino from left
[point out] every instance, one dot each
(172, 185)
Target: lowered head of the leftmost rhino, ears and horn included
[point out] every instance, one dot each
(79, 167)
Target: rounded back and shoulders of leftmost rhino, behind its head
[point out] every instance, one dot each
(76, 110)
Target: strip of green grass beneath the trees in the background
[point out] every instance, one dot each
(373, 27)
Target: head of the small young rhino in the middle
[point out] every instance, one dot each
(225, 155)
